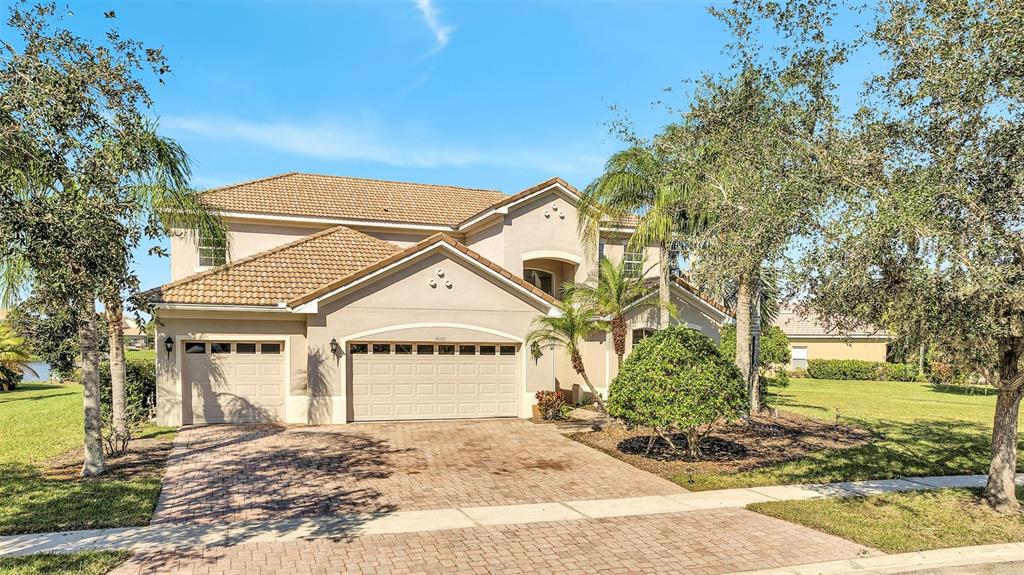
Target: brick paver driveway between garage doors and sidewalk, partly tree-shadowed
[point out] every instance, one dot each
(232, 473)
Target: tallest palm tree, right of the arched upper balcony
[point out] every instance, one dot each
(636, 184)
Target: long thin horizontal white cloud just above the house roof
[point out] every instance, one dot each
(368, 142)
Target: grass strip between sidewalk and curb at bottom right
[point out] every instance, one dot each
(905, 522)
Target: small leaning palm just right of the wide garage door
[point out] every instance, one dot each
(577, 321)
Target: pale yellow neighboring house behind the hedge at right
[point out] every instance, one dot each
(809, 339)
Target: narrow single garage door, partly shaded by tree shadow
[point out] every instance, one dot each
(234, 382)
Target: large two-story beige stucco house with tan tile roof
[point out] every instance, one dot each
(351, 300)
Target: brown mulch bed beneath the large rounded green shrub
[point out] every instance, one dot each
(739, 447)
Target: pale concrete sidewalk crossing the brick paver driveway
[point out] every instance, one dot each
(185, 536)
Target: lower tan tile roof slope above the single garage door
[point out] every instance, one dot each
(280, 275)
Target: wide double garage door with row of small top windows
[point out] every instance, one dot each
(410, 381)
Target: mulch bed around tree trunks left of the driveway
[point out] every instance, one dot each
(146, 458)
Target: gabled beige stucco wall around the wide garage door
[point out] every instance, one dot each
(476, 308)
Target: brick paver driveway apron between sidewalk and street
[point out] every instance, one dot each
(696, 543)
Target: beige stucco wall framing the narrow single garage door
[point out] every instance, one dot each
(228, 327)
